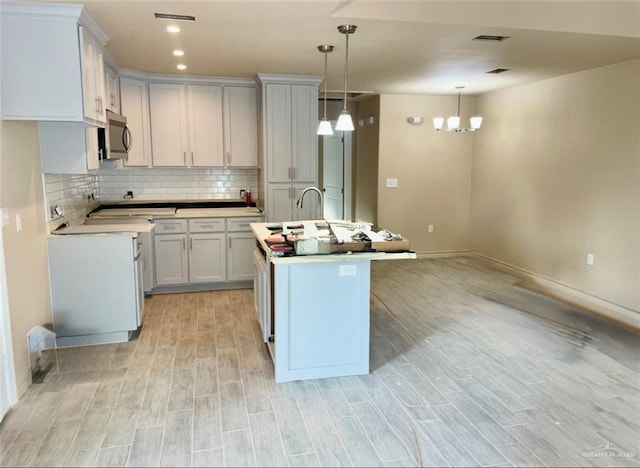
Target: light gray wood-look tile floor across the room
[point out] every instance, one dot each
(467, 369)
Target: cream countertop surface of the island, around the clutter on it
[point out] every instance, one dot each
(261, 233)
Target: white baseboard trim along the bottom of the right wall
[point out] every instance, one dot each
(620, 315)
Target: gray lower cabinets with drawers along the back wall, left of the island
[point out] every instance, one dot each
(203, 250)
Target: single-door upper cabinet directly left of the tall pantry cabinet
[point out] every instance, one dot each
(241, 126)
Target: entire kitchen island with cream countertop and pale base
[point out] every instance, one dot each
(314, 309)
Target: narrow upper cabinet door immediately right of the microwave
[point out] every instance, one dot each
(134, 103)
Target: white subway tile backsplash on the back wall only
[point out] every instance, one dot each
(176, 183)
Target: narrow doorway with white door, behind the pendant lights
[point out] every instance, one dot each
(335, 151)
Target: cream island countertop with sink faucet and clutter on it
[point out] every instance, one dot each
(309, 227)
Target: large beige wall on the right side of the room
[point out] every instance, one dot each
(556, 175)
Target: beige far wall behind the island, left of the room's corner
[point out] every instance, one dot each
(433, 171)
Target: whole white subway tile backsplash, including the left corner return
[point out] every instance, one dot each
(72, 193)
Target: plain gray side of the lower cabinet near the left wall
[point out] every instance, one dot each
(95, 288)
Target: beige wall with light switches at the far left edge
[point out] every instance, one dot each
(25, 251)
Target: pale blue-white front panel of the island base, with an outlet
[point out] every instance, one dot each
(321, 319)
